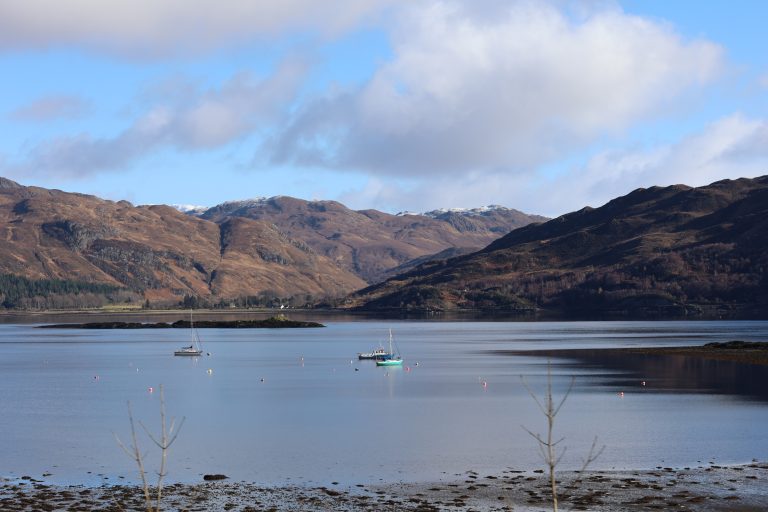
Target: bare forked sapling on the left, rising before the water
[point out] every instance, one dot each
(168, 434)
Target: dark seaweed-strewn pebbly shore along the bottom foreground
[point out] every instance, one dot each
(706, 488)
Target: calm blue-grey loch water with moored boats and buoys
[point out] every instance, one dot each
(295, 405)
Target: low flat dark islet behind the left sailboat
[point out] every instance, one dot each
(280, 321)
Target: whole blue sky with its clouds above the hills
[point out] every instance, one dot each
(399, 105)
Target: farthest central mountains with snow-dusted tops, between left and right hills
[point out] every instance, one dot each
(369, 243)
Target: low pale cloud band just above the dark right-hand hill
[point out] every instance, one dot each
(730, 148)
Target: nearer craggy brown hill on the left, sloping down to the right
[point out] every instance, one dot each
(154, 252)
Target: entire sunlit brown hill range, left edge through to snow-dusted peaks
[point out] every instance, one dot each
(65, 249)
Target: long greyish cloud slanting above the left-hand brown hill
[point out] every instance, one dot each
(207, 119)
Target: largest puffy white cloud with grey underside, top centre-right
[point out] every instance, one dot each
(508, 87)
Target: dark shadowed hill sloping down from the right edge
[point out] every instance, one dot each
(670, 250)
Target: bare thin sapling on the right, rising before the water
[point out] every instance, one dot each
(549, 447)
